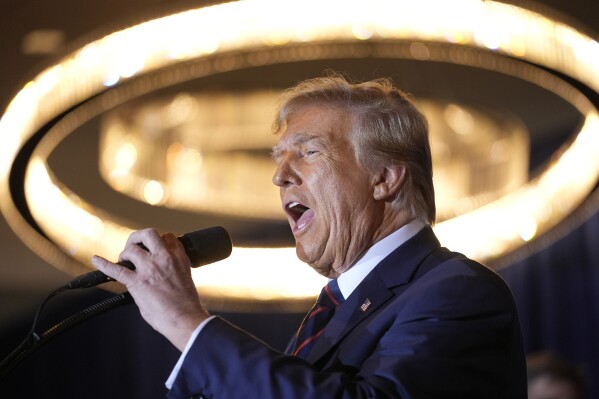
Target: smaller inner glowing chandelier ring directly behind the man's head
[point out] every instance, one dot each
(211, 153)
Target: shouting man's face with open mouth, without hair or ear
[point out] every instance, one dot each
(328, 198)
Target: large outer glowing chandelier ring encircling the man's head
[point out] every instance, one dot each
(66, 229)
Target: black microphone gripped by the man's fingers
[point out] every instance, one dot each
(203, 247)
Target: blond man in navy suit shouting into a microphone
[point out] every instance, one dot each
(415, 321)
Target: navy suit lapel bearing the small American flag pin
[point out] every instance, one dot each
(375, 290)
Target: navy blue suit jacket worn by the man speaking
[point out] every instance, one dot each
(425, 323)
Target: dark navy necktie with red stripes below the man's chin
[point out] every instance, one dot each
(316, 320)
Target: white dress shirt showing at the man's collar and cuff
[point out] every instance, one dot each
(347, 281)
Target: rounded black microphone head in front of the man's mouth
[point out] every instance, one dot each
(207, 245)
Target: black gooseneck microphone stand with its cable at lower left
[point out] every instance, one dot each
(34, 341)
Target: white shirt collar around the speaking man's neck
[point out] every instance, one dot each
(349, 280)
